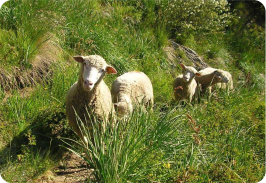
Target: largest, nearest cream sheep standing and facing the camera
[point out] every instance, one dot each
(89, 96)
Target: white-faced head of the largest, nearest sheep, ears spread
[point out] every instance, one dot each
(93, 70)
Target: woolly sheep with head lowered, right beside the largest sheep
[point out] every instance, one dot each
(129, 89)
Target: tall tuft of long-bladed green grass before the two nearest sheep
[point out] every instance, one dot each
(118, 153)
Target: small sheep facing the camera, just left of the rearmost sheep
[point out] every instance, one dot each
(184, 85)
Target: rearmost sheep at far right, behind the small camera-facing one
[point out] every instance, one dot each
(211, 76)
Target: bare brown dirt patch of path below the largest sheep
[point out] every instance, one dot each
(72, 169)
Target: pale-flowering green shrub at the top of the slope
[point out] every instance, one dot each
(195, 17)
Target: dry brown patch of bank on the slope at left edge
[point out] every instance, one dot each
(20, 77)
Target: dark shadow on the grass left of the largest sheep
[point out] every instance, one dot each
(41, 138)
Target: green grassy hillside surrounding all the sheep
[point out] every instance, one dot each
(219, 139)
